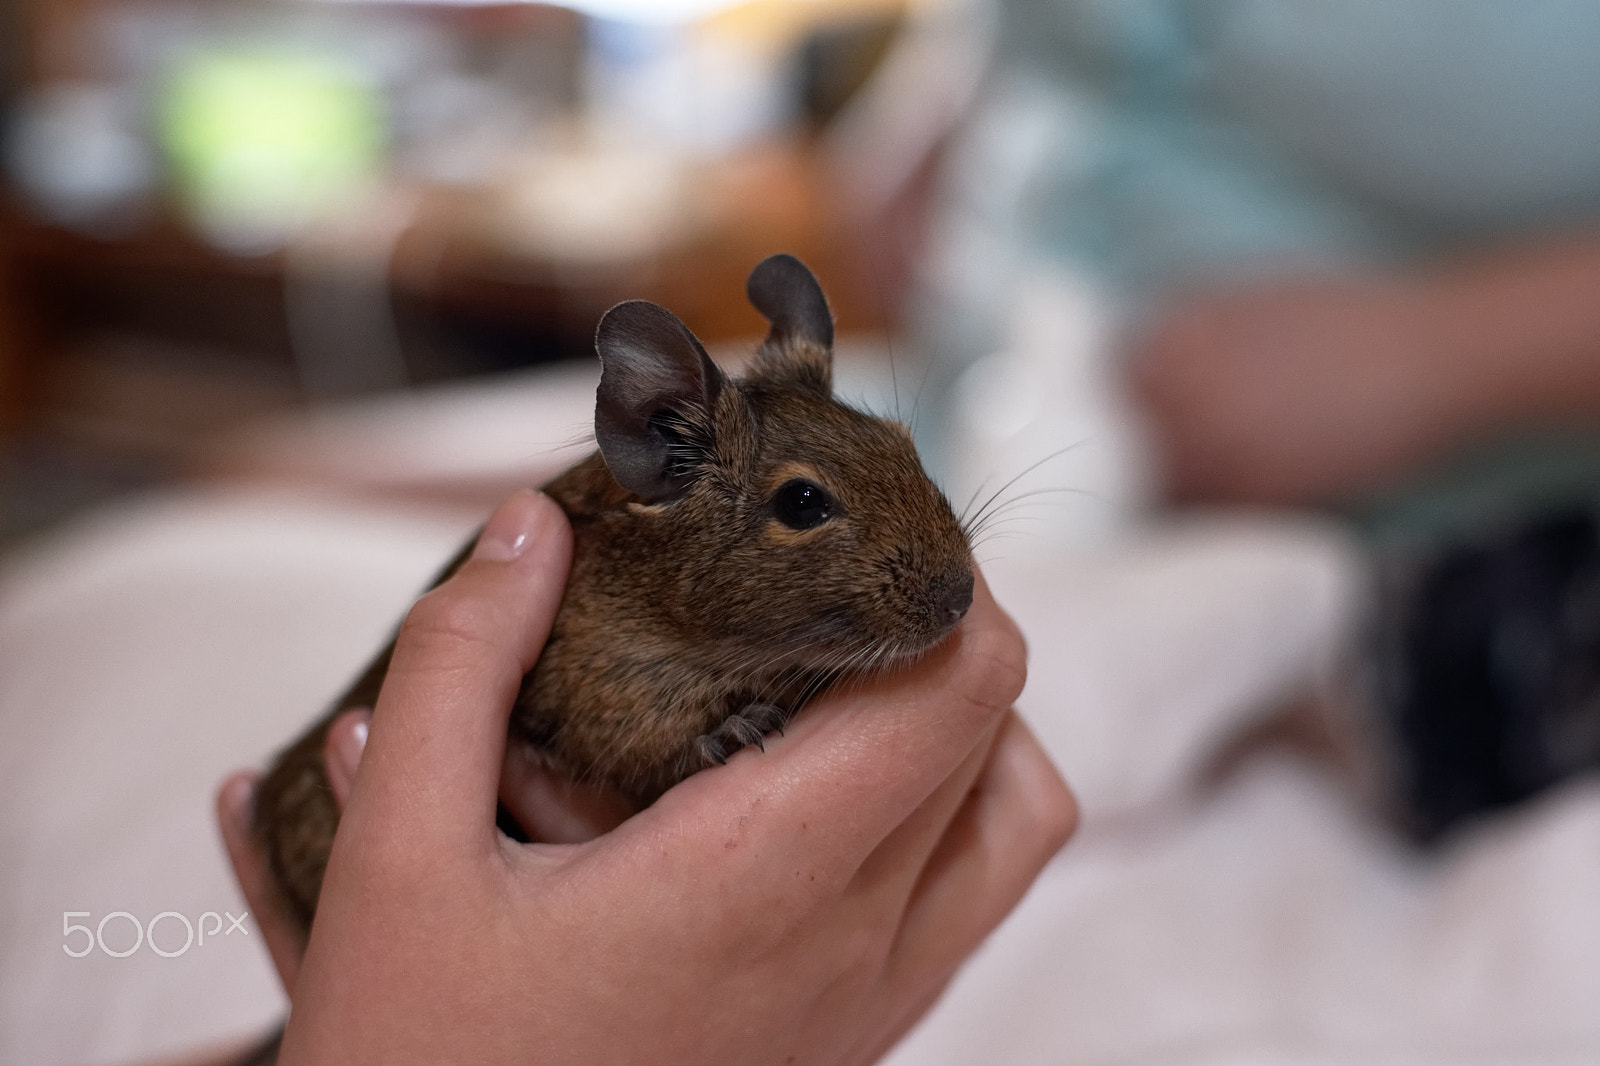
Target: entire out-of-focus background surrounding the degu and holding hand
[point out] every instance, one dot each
(1258, 339)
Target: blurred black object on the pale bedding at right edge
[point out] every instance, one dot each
(1494, 678)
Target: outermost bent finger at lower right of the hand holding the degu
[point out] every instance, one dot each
(1020, 816)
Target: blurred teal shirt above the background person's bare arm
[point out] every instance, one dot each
(1233, 135)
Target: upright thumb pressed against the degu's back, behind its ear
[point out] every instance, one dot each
(433, 761)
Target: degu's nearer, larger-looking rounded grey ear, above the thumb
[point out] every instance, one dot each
(657, 393)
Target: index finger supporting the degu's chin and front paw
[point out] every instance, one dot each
(857, 764)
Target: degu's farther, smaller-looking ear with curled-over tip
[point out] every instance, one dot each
(801, 343)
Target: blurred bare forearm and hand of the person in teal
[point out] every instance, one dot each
(1318, 390)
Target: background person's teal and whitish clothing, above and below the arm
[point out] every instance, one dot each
(1153, 145)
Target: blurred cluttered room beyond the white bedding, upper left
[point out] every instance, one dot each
(217, 212)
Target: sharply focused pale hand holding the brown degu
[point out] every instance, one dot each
(806, 904)
